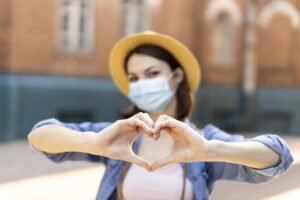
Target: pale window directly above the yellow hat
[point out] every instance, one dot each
(135, 16)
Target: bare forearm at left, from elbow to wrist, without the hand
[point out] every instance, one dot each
(57, 139)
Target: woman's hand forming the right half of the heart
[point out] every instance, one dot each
(189, 145)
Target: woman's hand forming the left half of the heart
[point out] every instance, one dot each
(116, 140)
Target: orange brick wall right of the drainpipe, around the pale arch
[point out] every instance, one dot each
(278, 47)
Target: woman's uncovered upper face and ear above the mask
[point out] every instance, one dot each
(142, 67)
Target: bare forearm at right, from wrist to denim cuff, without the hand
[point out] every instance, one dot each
(250, 153)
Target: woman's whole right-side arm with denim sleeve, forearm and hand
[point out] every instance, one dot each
(230, 157)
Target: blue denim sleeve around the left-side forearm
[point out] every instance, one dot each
(74, 156)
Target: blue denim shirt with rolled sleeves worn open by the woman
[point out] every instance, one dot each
(202, 175)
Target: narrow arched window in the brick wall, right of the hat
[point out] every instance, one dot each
(223, 41)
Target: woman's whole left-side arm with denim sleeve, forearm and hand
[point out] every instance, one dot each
(90, 141)
